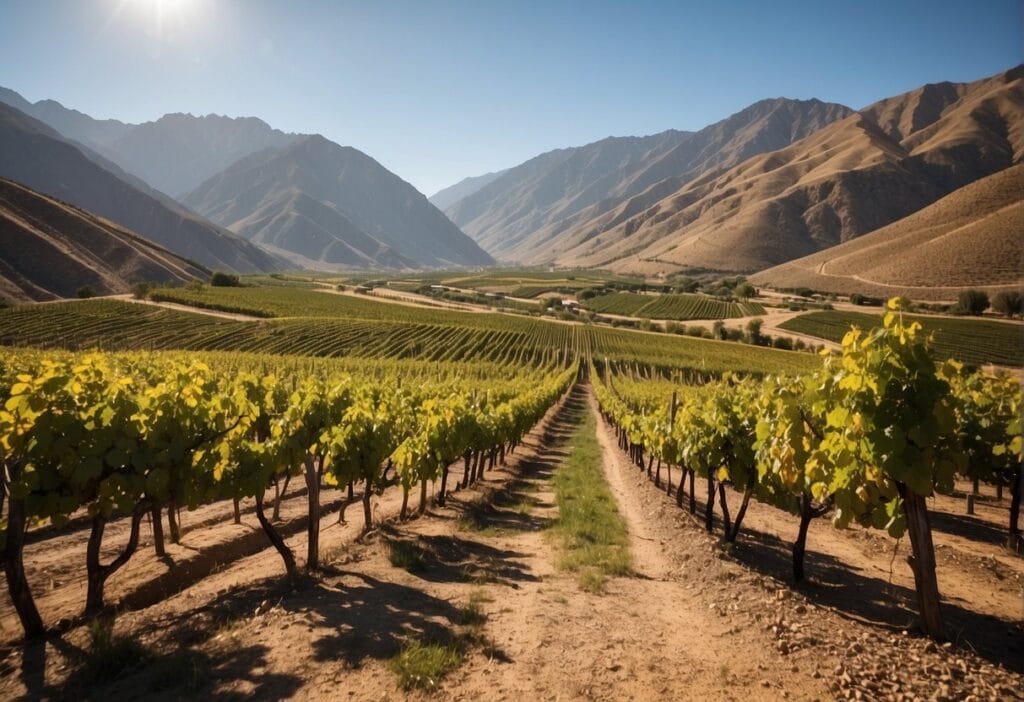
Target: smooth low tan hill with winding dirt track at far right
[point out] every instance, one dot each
(970, 239)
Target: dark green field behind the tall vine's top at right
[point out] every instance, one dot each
(972, 341)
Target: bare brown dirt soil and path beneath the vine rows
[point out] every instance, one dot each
(695, 621)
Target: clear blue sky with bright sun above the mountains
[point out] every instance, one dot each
(441, 91)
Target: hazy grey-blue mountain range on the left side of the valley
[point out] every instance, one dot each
(319, 205)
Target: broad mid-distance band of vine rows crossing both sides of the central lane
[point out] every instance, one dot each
(373, 330)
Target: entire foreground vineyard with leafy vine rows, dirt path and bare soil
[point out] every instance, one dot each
(355, 471)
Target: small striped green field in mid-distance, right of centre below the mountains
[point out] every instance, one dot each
(677, 306)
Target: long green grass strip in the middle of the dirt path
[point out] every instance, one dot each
(593, 535)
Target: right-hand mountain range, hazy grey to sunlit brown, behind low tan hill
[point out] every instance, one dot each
(775, 183)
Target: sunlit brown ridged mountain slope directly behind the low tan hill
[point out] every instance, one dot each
(855, 177)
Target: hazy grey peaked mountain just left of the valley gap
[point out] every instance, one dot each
(331, 206)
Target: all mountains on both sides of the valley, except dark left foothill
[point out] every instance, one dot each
(784, 187)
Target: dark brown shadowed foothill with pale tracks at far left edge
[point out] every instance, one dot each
(54, 249)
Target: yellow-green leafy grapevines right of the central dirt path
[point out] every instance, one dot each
(867, 438)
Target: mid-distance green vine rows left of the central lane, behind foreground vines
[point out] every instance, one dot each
(113, 325)
